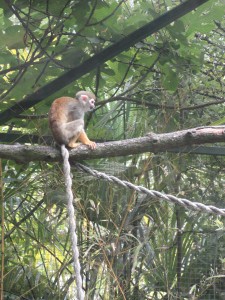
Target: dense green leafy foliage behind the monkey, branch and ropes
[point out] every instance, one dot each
(131, 247)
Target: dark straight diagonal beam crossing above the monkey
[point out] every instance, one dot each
(98, 59)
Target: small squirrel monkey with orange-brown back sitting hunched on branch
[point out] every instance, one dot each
(66, 119)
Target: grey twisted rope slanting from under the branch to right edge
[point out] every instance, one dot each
(140, 189)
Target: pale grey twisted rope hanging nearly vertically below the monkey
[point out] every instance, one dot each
(72, 221)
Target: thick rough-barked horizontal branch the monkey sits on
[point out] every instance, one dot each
(150, 143)
